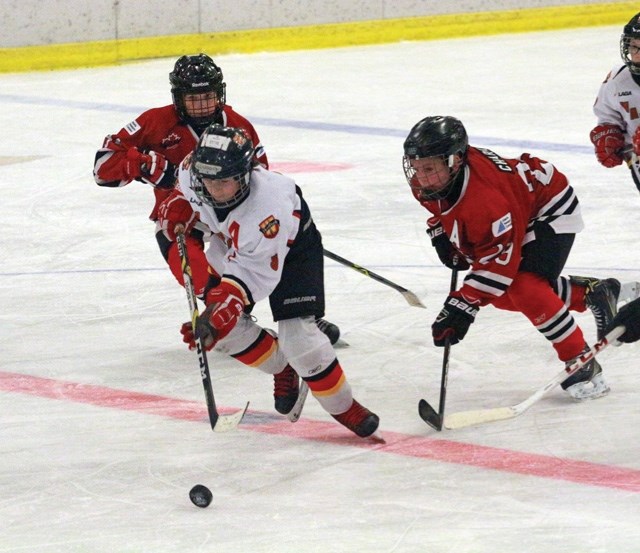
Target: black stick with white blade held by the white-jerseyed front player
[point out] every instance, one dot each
(219, 423)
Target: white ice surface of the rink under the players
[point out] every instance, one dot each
(87, 301)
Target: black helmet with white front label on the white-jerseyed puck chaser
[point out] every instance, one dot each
(222, 153)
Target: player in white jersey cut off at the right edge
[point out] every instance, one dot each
(616, 137)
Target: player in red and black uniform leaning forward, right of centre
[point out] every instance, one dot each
(512, 222)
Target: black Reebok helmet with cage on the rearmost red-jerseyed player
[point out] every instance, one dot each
(194, 75)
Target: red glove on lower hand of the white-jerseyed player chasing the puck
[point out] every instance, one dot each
(224, 307)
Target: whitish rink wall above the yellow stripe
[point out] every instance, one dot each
(47, 22)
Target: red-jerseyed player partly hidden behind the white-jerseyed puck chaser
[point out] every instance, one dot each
(151, 147)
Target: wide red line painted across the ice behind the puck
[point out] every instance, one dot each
(406, 445)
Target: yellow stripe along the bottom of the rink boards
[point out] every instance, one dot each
(88, 54)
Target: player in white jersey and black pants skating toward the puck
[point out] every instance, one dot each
(274, 251)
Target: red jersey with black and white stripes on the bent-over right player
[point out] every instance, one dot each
(493, 217)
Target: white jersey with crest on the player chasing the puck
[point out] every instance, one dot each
(258, 232)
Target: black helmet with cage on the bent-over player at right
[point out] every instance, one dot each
(435, 136)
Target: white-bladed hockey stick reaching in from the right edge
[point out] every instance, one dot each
(479, 416)
